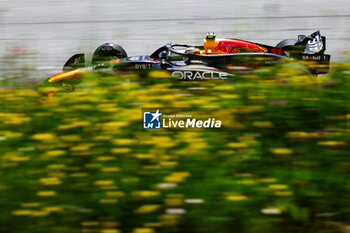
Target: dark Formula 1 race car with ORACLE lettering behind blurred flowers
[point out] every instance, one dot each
(216, 59)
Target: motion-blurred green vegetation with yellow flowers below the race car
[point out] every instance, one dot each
(80, 162)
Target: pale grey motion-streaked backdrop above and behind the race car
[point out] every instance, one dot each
(54, 30)
